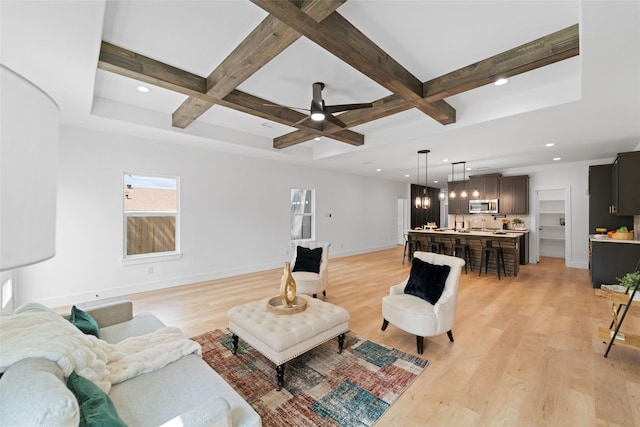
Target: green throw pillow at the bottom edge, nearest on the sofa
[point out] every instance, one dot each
(96, 409)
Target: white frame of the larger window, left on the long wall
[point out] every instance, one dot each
(152, 256)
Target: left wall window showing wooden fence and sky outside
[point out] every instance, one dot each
(150, 216)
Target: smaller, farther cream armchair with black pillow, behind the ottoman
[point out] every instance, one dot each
(310, 267)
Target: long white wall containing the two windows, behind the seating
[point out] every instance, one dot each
(234, 216)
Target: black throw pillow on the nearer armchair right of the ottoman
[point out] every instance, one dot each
(427, 280)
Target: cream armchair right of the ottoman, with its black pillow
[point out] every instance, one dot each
(415, 314)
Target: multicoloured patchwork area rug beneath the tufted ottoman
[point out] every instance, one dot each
(321, 387)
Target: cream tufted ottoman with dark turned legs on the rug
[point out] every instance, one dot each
(282, 337)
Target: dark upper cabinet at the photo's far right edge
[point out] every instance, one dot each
(625, 179)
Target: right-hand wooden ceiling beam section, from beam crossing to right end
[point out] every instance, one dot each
(546, 50)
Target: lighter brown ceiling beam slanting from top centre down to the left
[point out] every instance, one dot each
(263, 44)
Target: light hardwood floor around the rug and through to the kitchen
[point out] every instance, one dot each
(526, 351)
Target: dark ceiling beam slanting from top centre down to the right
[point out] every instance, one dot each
(339, 37)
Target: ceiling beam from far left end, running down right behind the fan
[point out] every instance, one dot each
(130, 64)
